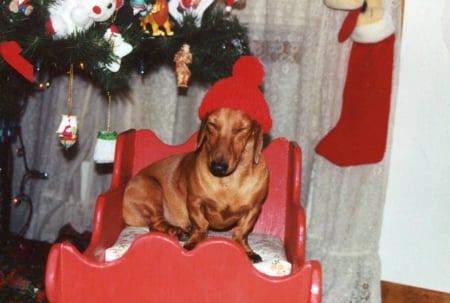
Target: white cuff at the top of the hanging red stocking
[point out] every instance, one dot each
(375, 32)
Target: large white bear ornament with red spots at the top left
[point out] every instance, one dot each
(70, 16)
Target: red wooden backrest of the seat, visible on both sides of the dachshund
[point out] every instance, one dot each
(137, 148)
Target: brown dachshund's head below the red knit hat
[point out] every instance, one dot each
(229, 137)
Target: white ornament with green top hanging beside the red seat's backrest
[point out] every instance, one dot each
(106, 141)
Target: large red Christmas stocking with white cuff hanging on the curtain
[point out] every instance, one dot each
(361, 133)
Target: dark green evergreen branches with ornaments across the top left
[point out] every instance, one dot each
(215, 46)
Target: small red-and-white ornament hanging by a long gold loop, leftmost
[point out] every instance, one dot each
(68, 128)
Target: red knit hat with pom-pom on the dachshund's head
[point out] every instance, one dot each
(240, 91)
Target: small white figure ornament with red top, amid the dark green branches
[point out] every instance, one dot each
(119, 46)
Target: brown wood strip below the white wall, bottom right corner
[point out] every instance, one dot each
(398, 293)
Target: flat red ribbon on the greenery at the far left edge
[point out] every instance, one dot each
(10, 51)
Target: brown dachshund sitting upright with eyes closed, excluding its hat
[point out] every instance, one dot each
(220, 185)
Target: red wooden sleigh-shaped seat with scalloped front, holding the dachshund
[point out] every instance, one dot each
(156, 268)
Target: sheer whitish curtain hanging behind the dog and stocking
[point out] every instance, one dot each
(305, 73)
